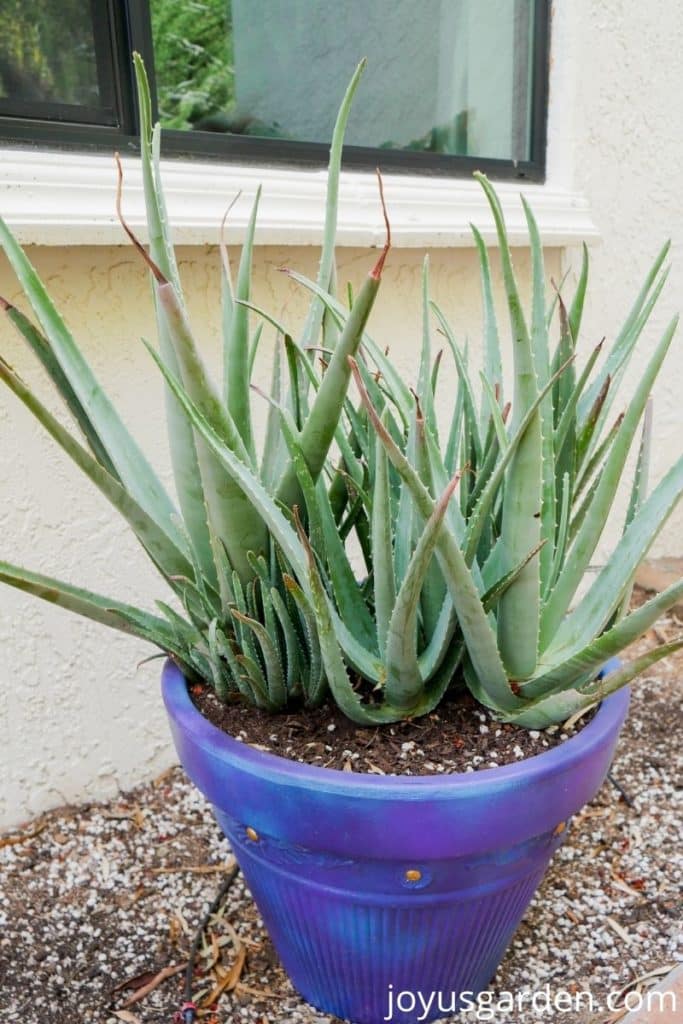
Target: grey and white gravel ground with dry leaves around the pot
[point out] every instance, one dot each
(97, 901)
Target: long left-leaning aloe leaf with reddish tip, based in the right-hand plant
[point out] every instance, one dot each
(477, 630)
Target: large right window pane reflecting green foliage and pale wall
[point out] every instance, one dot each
(444, 76)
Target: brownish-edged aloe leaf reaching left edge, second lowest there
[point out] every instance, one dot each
(170, 560)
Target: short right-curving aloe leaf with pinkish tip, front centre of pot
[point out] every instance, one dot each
(404, 684)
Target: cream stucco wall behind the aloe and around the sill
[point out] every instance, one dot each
(79, 720)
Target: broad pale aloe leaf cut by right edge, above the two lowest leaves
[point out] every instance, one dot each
(593, 612)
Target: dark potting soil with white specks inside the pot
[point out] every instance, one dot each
(459, 737)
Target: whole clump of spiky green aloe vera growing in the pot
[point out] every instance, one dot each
(474, 539)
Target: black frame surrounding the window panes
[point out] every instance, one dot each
(130, 28)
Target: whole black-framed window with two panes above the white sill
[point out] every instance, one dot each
(451, 86)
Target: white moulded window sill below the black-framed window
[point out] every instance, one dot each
(63, 199)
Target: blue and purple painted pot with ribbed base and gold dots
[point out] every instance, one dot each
(375, 886)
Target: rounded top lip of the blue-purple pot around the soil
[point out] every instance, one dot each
(560, 759)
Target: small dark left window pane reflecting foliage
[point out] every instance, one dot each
(48, 55)
